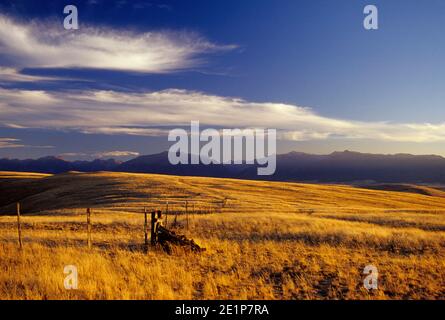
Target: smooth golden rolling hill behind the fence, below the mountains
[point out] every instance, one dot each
(129, 191)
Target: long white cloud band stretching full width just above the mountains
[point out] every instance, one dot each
(111, 112)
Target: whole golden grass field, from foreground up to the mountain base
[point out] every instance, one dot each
(264, 240)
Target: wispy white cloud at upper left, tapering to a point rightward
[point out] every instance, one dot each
(39, 44)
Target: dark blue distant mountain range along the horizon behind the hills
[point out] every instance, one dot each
(294, 166)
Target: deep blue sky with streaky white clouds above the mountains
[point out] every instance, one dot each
(134, 69)
